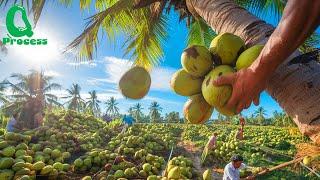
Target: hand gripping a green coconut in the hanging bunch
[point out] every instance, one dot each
(247, 85)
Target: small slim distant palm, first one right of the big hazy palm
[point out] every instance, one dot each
(75, 101)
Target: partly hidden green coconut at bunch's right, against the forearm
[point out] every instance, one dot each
(248, 56)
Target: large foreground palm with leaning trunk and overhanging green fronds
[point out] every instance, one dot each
(144, 22)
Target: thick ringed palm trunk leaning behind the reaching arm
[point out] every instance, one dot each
(295, 86)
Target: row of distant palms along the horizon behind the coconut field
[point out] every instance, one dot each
(31, 93)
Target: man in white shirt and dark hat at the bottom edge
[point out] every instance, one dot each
(231, 170)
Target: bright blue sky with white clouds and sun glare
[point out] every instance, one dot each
(61, 25)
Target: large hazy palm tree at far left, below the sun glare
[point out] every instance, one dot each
(30, 95)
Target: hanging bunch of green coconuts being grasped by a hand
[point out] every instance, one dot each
(202, 66)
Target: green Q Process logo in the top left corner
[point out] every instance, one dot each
(20, 35)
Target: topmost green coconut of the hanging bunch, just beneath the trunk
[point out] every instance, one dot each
(226, 48)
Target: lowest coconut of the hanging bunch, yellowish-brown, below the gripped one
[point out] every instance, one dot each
(196, 110)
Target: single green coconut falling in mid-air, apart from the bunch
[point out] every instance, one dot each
(135, 83)
